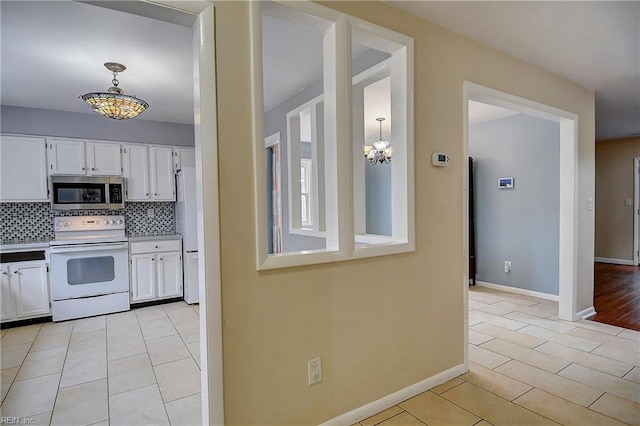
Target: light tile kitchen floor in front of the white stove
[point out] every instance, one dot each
(140, 367)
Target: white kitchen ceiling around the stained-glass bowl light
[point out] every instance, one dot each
(59, 47)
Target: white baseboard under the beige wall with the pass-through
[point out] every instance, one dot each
(385, 402)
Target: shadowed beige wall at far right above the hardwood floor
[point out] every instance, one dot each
(614, 183)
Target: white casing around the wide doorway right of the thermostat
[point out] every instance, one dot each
(568, 236)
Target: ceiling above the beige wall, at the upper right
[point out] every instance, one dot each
(594, 43)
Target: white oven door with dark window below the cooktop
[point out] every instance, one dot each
(89, 270)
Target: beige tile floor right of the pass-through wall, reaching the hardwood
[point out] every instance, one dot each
(527, 368)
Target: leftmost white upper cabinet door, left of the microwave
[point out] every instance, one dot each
(23, 169)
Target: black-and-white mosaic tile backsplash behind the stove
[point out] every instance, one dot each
(21, 222)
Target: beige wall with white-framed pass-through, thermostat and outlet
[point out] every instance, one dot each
(376, 332)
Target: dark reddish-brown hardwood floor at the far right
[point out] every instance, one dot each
(617, 295)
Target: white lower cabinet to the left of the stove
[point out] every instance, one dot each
(24, 290)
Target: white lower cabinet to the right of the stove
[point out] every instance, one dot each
(156, 270)
